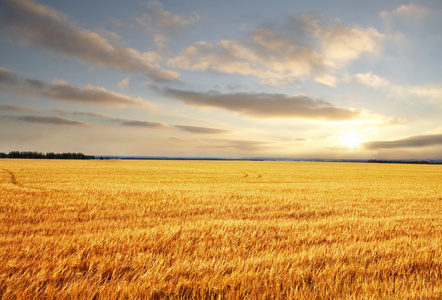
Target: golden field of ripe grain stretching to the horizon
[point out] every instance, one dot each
(233, 230)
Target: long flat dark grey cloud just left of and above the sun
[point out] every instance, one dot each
(264, 105)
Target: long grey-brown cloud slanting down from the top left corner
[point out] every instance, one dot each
(43, 27)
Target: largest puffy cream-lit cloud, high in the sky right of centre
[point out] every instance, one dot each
(297, 48)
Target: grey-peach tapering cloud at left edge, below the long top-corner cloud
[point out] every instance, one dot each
(63, 91)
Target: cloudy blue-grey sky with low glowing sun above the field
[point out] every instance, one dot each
(337, 79)
